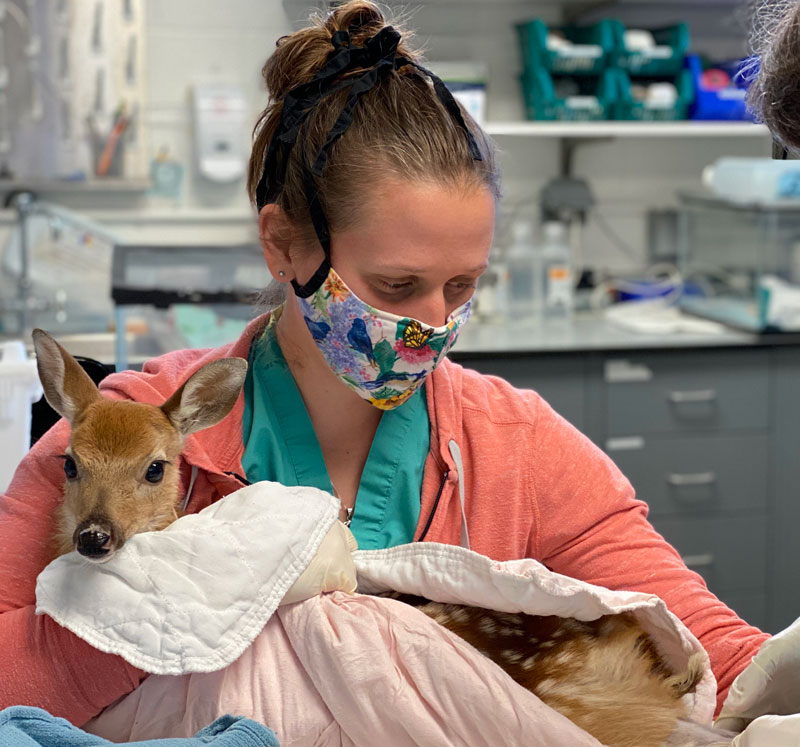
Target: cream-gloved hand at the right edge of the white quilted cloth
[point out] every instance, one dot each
(331, 569)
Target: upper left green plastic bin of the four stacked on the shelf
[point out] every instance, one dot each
(595, 45)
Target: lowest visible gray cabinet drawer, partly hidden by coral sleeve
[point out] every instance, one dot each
(729, 553)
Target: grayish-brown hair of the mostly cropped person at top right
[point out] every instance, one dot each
(774, 95)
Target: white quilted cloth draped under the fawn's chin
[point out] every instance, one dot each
(192, 597)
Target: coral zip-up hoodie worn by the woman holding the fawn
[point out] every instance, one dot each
(530, 486)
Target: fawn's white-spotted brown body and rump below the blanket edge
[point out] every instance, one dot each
(604, 675)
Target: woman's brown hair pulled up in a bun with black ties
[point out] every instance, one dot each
(399, 128)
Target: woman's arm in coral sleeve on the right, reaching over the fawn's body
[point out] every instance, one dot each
(593, 528)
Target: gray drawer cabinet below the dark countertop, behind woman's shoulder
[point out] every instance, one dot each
(710, 439)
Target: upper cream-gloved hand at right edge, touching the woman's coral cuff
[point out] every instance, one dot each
(770, 684)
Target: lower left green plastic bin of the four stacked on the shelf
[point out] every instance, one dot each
(595, 101)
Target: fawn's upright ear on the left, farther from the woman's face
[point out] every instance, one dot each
(67, 387)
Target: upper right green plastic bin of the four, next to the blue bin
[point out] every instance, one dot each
(667, 58)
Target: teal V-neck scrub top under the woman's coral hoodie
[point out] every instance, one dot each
(280, 445)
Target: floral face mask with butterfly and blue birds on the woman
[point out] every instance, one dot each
(382, 357)
